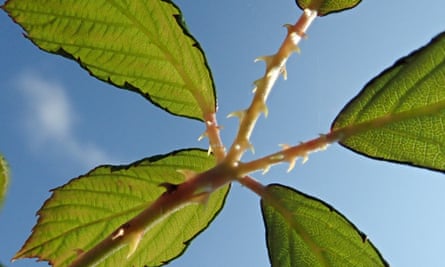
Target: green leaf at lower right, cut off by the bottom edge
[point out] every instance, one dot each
(304, 231)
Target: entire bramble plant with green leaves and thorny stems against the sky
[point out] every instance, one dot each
(145, 213)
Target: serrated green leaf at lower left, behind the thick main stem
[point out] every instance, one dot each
(89, 208)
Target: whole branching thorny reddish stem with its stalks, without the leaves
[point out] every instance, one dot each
(198, 188)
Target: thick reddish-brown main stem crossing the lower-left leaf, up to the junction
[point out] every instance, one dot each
(195, 190)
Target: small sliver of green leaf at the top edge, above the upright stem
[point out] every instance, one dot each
(325, 7)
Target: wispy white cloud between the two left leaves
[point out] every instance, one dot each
(50, 120)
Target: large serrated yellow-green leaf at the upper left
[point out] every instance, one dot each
(142, 46)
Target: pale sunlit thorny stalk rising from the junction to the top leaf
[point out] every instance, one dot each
(275, 65)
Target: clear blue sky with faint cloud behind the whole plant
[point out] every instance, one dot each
(58, 123)
